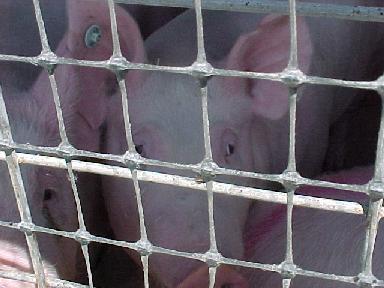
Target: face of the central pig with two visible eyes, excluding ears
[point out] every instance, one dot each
(175, 134)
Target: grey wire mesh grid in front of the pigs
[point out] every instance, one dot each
(65, 154)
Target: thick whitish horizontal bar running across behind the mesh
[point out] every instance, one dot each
(186, 182)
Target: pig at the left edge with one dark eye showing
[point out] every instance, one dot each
(50, 199)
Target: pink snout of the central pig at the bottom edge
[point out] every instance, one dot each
(226, 277)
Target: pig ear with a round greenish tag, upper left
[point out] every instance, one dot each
(84, 16)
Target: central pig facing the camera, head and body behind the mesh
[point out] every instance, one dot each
(248, 118)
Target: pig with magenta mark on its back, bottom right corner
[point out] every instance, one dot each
(323, 241)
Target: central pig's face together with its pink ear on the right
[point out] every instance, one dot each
(166, 116)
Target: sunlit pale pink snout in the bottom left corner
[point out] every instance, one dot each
(16, 259)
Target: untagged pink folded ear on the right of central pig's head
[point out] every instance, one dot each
(267, 50)
